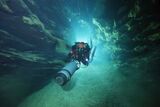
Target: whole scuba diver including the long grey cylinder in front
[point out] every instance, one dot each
(80, 52)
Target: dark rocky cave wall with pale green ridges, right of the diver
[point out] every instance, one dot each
(136, 23)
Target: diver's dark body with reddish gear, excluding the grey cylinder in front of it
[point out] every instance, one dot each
(81, 52)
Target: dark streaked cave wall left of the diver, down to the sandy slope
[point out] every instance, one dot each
(32, 48)
